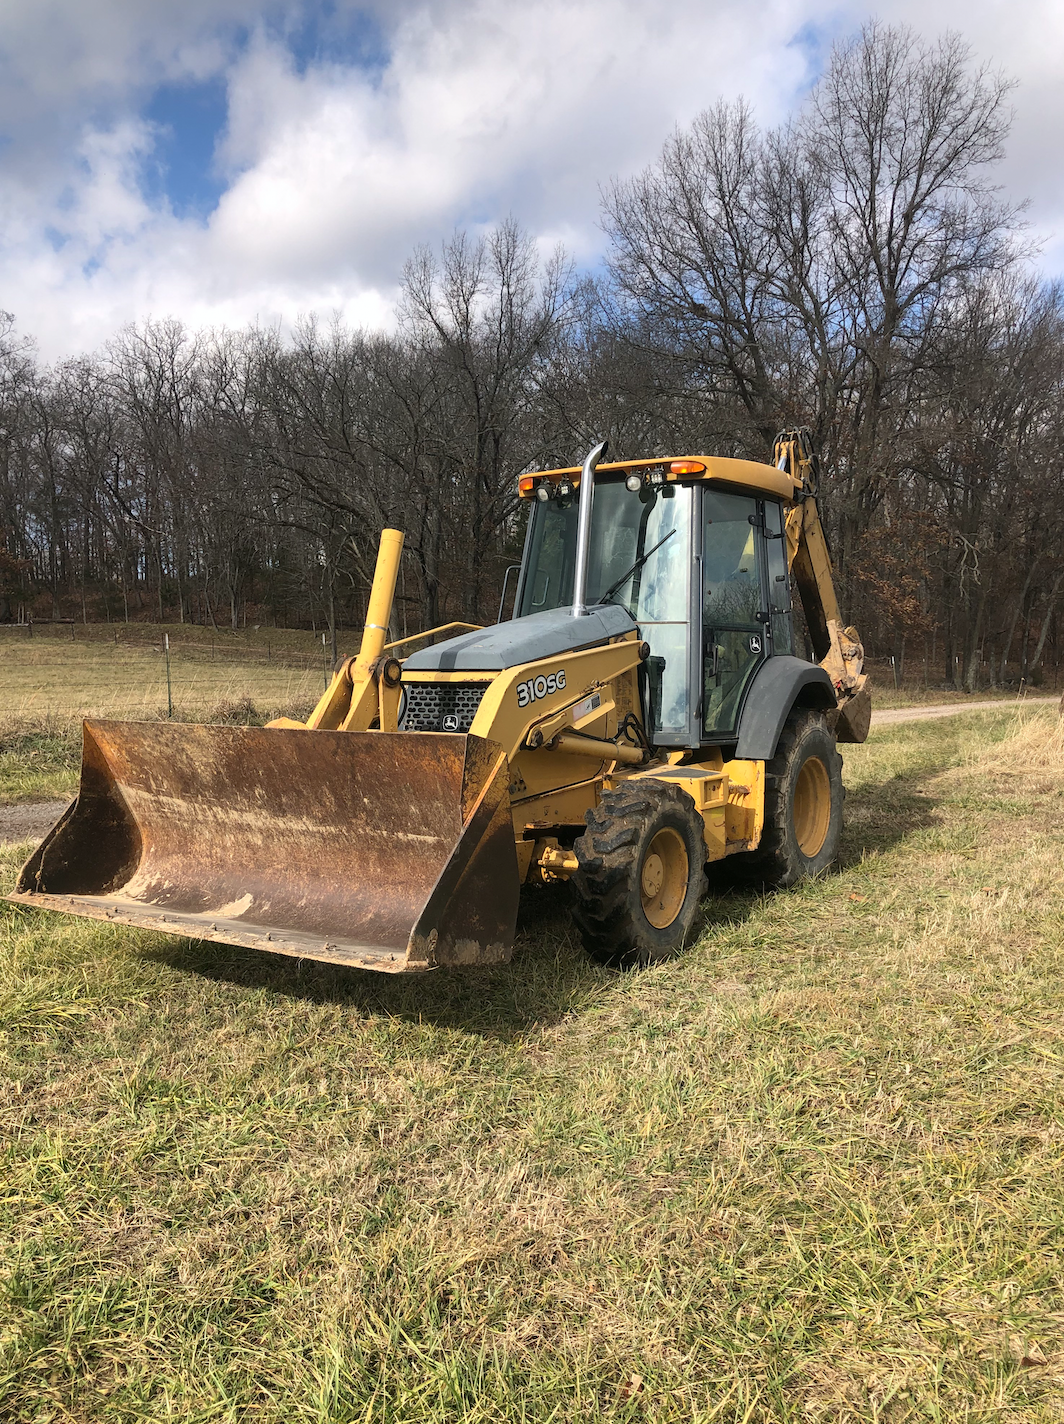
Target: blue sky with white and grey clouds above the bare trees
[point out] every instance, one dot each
(226, 162)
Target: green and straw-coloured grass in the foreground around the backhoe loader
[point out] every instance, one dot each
(814, 1171)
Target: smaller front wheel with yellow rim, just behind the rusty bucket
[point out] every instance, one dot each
(642, 875)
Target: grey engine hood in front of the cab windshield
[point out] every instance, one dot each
(523, 640)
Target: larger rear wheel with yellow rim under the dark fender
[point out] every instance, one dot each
(804, 798)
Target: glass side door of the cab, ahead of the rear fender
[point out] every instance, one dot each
(736, 617)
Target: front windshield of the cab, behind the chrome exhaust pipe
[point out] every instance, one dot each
(650, 529)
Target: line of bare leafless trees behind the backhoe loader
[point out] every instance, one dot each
(854, 271)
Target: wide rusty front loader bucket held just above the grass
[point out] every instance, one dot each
(387, 851)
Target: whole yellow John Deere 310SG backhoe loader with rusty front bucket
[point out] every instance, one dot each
(643, 716)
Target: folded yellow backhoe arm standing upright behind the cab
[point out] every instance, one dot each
(837, 647)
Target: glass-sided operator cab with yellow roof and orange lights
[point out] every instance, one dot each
(696, 553)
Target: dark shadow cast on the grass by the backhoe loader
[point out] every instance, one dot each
(549, 978)
